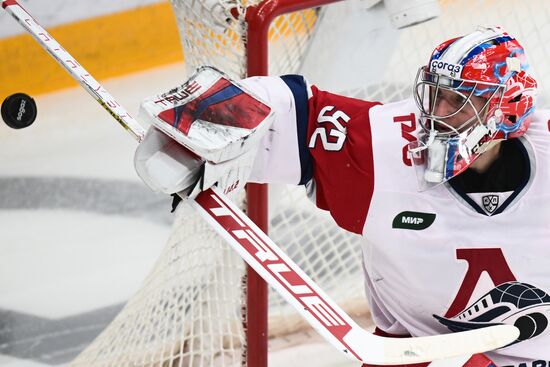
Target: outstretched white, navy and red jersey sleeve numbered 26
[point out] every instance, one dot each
(321, 140)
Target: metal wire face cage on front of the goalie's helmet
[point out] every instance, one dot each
(442, 149)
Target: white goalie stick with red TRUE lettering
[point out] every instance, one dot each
(276, 268)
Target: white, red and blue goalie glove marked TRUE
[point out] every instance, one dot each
(203, 133)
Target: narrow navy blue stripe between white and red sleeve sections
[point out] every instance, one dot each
(298, 87)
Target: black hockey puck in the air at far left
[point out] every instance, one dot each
(19, 111)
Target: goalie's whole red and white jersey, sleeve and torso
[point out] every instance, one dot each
(435, 261)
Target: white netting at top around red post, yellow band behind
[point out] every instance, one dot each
(213, 33)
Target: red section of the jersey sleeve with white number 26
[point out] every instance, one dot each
(340, 145)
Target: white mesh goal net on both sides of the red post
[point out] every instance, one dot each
(191, 309)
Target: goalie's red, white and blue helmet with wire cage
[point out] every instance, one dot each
(475, 90)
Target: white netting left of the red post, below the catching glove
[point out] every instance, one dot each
(187, 312)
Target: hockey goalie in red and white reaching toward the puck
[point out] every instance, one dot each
(448, 188)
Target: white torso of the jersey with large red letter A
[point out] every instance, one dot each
(442, 260)
